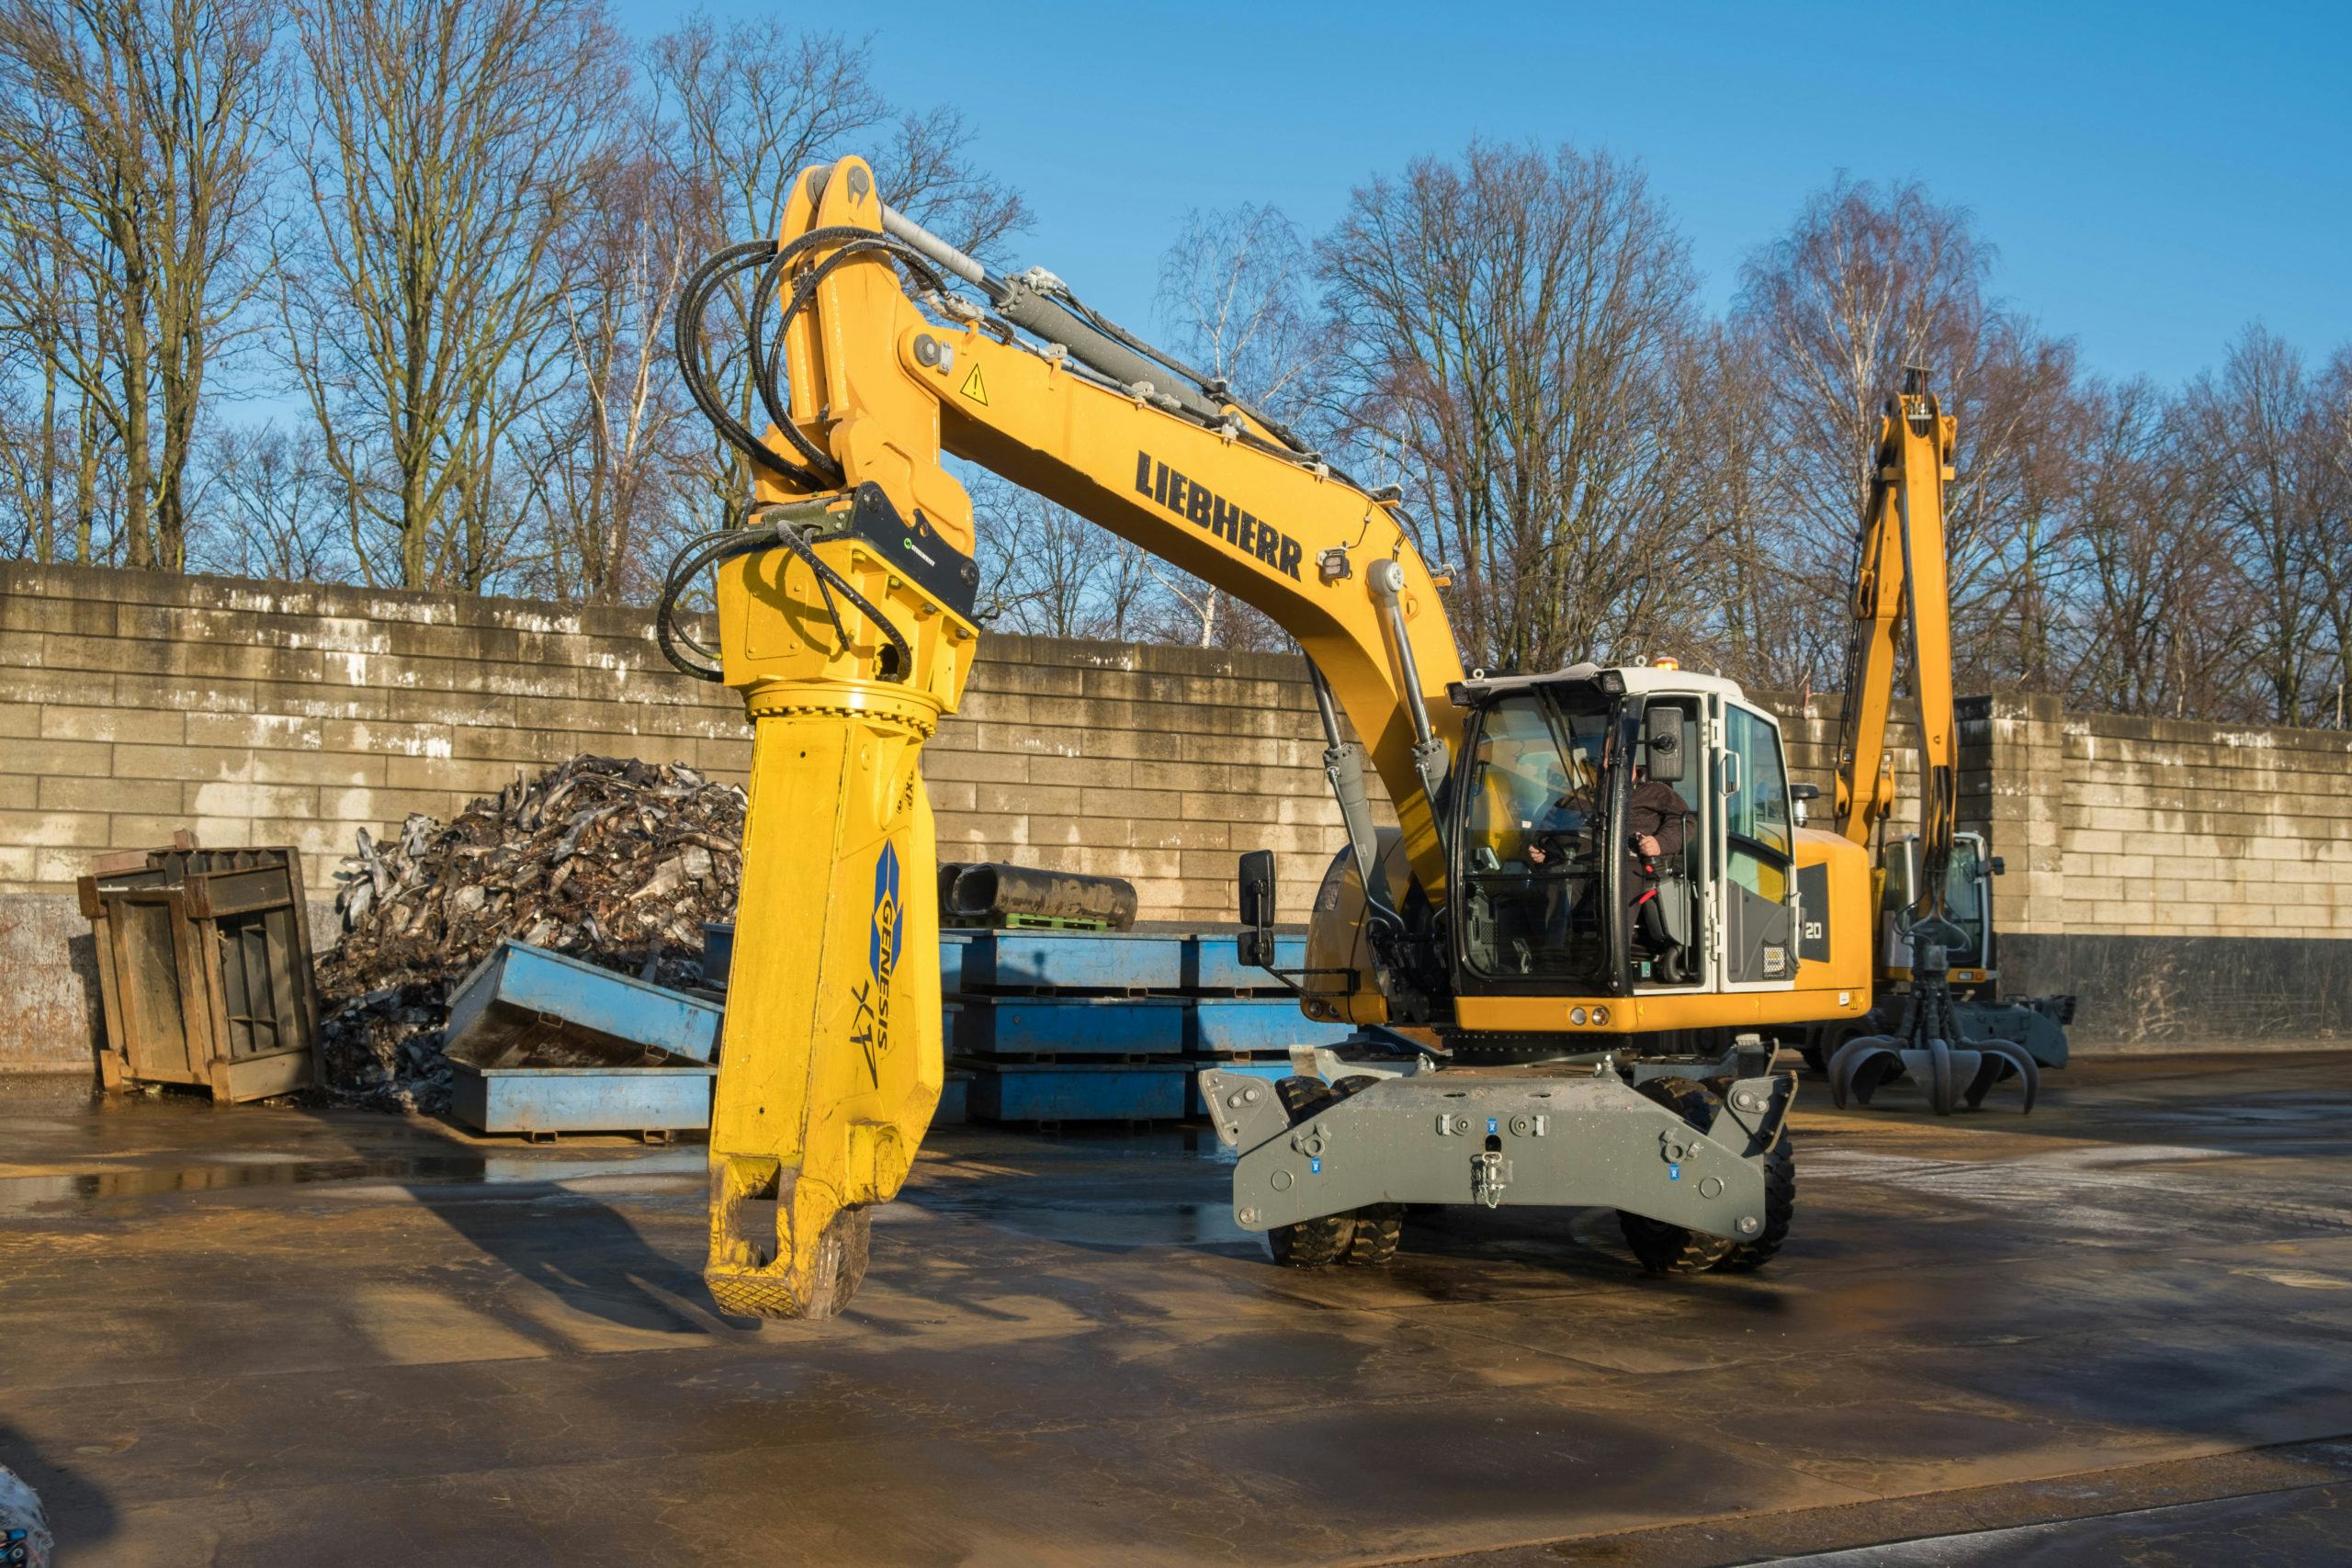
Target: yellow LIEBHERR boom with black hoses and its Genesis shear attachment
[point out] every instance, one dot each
(846, 622)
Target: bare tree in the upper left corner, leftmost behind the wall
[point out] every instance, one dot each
(140, 123)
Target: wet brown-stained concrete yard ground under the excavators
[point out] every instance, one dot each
(2118, 1329)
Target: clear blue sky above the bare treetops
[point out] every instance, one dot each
(2153, 175)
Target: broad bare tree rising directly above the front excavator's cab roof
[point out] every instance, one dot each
(1518, 333)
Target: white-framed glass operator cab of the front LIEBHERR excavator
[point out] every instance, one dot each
(1619, 831)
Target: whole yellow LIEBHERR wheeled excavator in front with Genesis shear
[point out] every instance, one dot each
(1603, 1012)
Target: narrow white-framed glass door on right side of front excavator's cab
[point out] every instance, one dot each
(1756, 845)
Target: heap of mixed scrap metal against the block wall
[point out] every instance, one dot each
(603, 859)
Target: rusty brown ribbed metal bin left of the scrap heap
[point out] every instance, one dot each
(206, 970)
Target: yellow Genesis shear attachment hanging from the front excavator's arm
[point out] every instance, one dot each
(831, 1057)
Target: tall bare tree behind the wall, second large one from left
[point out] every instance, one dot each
(443, 149)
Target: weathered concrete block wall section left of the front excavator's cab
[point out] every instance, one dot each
(269, 713)
